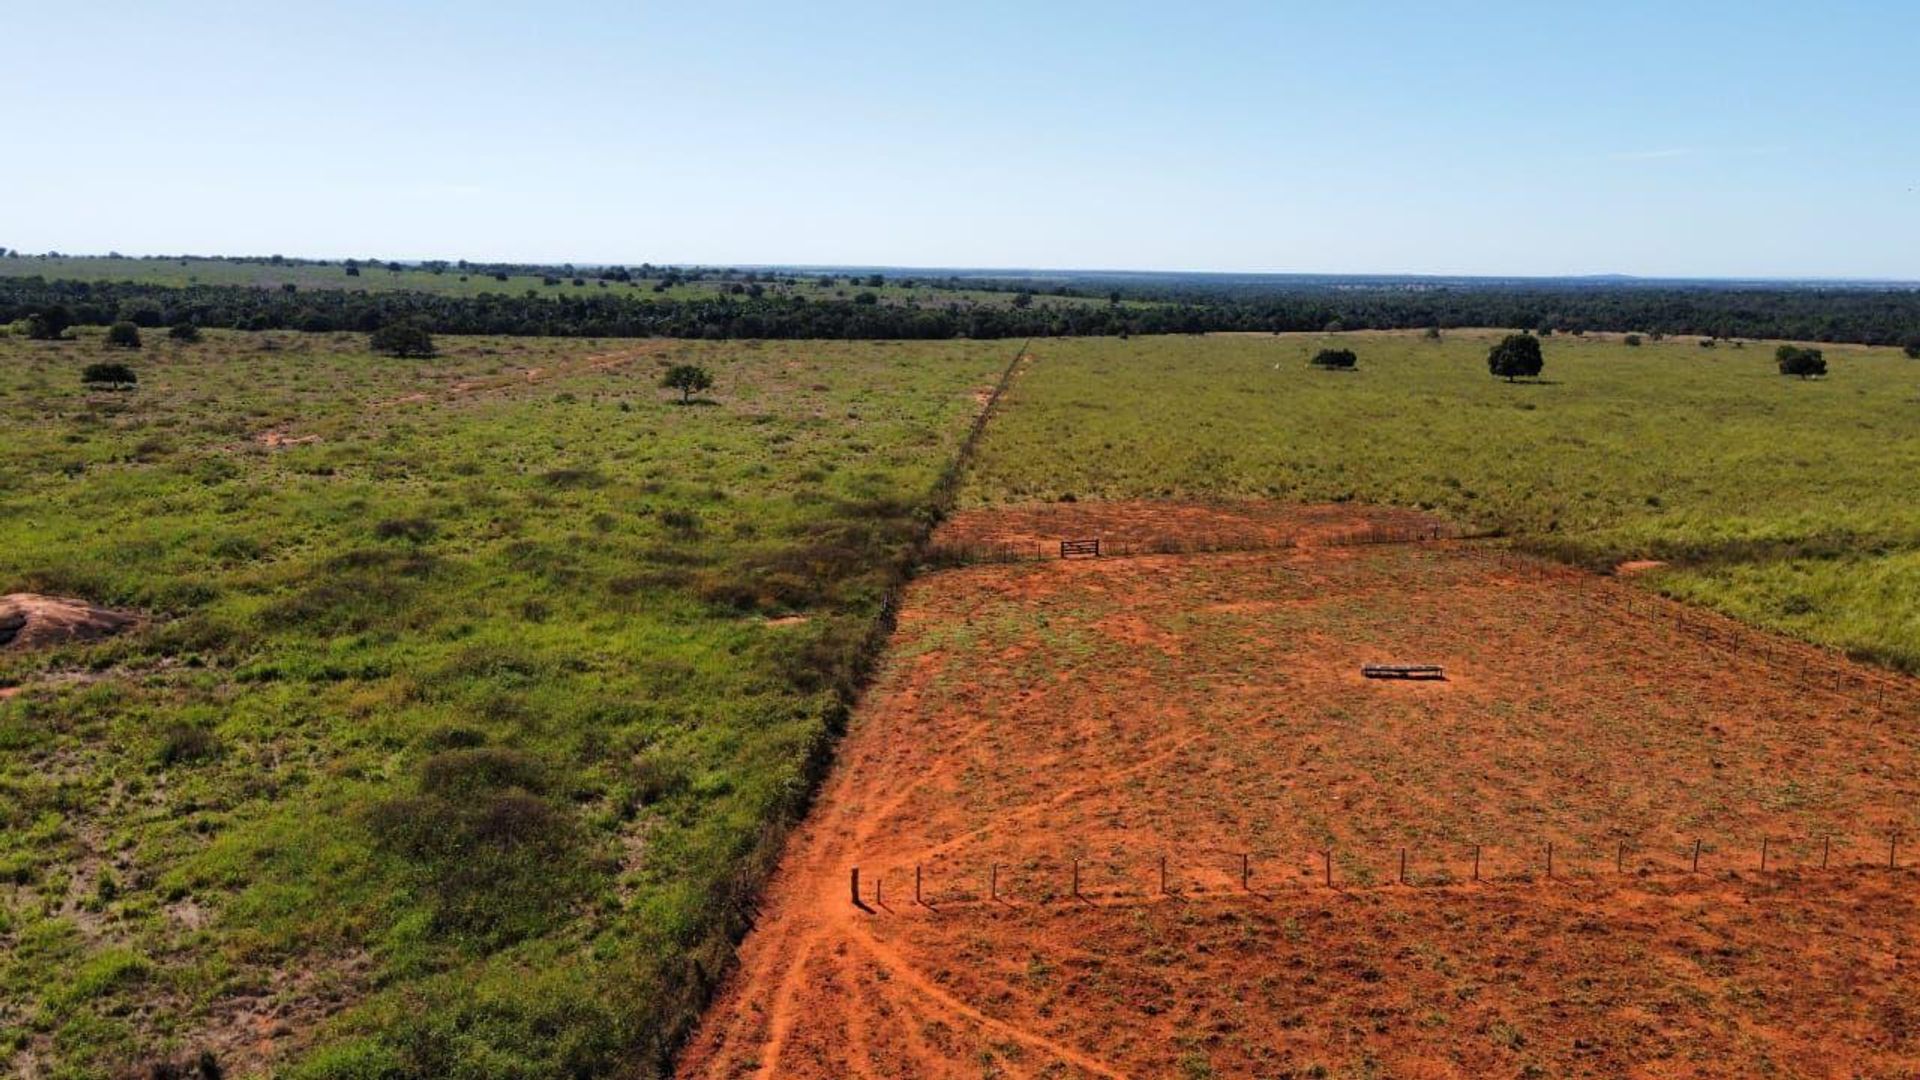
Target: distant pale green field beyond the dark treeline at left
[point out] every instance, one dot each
(454, 282)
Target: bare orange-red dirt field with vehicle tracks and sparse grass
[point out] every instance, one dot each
(1093, 718)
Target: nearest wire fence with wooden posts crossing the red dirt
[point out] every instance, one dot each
(1040, 881)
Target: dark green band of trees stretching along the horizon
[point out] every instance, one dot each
(1860, 316)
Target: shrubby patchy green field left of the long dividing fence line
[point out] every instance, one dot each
(466, 693)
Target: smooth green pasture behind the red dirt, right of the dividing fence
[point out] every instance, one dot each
(1773, 499)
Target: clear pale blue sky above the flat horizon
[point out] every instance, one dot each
(1535, 137)
